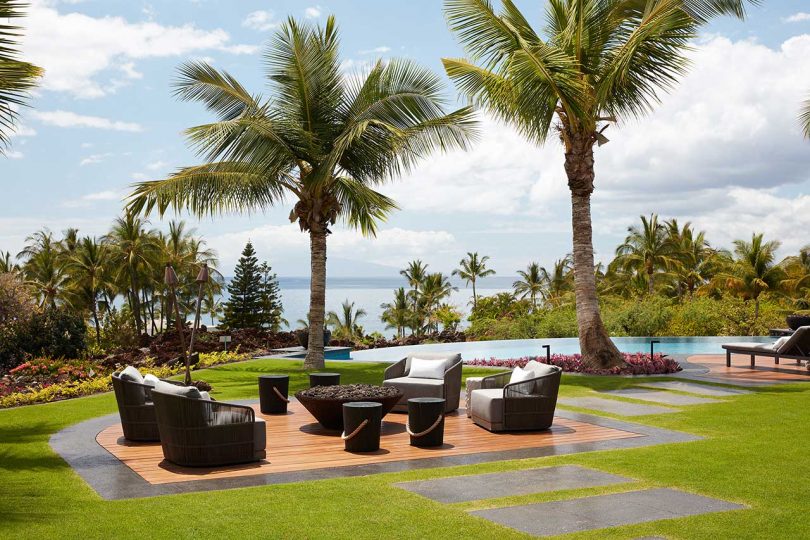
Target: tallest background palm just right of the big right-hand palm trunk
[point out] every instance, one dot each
(647, 250)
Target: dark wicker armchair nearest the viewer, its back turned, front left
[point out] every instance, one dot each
(202, 433)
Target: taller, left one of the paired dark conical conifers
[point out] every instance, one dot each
(244, 307)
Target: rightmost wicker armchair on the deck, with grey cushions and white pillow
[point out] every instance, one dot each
(522, 406)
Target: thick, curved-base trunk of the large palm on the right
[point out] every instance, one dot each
(595, 344)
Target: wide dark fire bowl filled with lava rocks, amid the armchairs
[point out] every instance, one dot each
(325, 403)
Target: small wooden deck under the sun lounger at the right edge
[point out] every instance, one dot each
(765, 370)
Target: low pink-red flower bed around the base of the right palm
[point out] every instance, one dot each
(635, 364)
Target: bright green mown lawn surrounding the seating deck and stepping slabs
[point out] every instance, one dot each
(756, 452)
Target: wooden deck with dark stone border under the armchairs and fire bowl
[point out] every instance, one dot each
(296, 443)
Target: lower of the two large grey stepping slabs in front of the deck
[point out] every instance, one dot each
(588, 513)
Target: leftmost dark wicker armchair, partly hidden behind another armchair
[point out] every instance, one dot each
(136, 409)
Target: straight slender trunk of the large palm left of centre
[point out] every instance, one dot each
(317, 297)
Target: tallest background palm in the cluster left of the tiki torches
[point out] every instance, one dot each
(134, 254)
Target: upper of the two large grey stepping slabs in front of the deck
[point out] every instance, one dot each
(489, 486)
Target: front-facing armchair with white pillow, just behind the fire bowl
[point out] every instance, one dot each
(449, 387)
